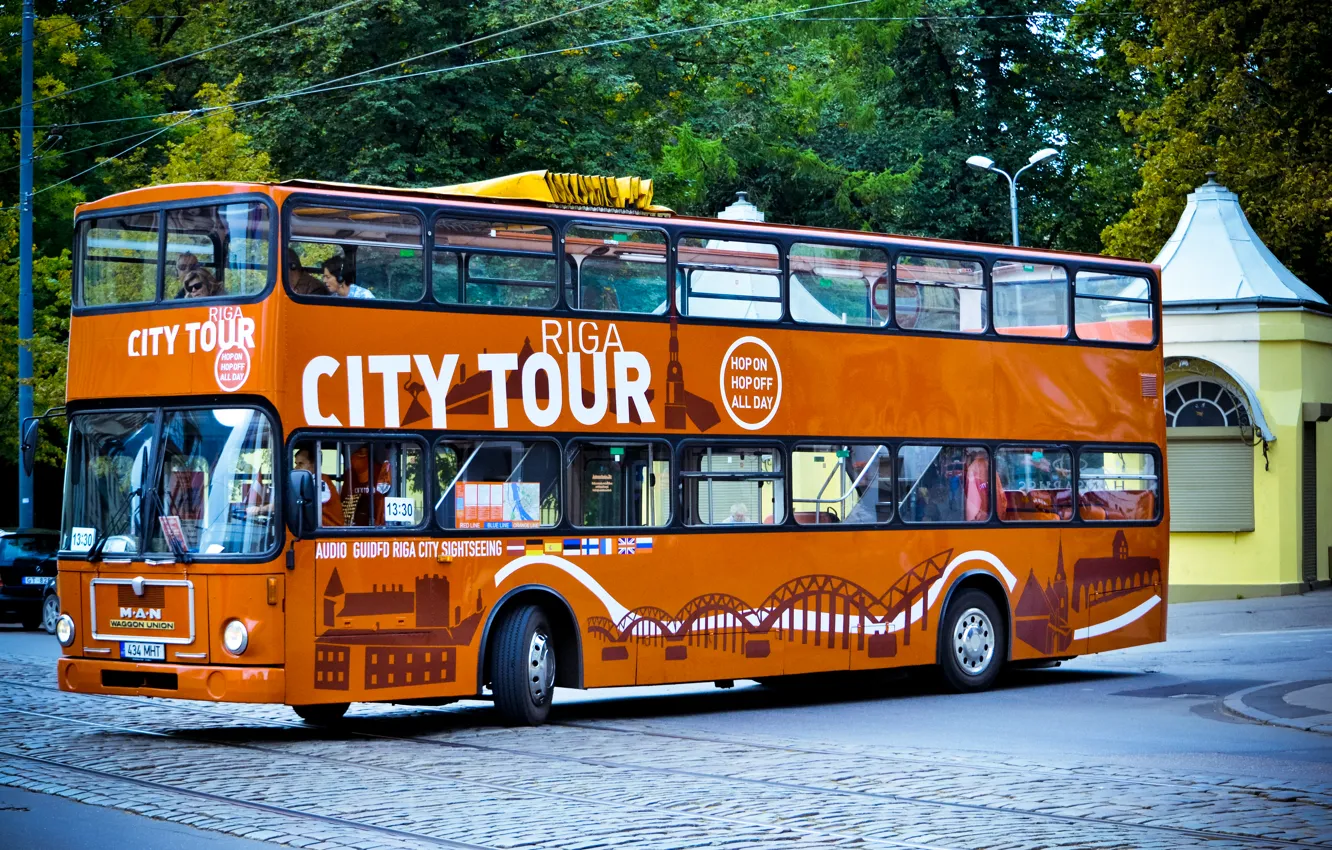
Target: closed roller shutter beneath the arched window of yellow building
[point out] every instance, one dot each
(1211, 486)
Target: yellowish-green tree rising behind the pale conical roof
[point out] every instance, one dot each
(1247, 97)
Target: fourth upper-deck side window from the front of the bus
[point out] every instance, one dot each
(724, 279)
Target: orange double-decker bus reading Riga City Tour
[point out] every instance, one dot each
(339, 444)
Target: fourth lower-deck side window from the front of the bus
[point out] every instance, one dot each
(733, 486)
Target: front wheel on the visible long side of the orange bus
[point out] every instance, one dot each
(523, 667)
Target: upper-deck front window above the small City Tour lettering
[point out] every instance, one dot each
(210, 251)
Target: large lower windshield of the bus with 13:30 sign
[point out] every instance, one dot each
(210, 494)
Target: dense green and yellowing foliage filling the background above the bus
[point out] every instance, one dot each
(857, 115)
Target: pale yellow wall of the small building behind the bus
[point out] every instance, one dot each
(1287, 358)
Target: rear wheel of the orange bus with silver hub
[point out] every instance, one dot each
(973, 643)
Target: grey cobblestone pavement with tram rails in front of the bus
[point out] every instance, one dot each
(403, 777)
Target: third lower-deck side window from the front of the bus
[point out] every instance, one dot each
(620, 486)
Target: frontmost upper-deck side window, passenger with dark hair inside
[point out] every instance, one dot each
(358, 254)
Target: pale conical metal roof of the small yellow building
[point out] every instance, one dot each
(1215, 256)
